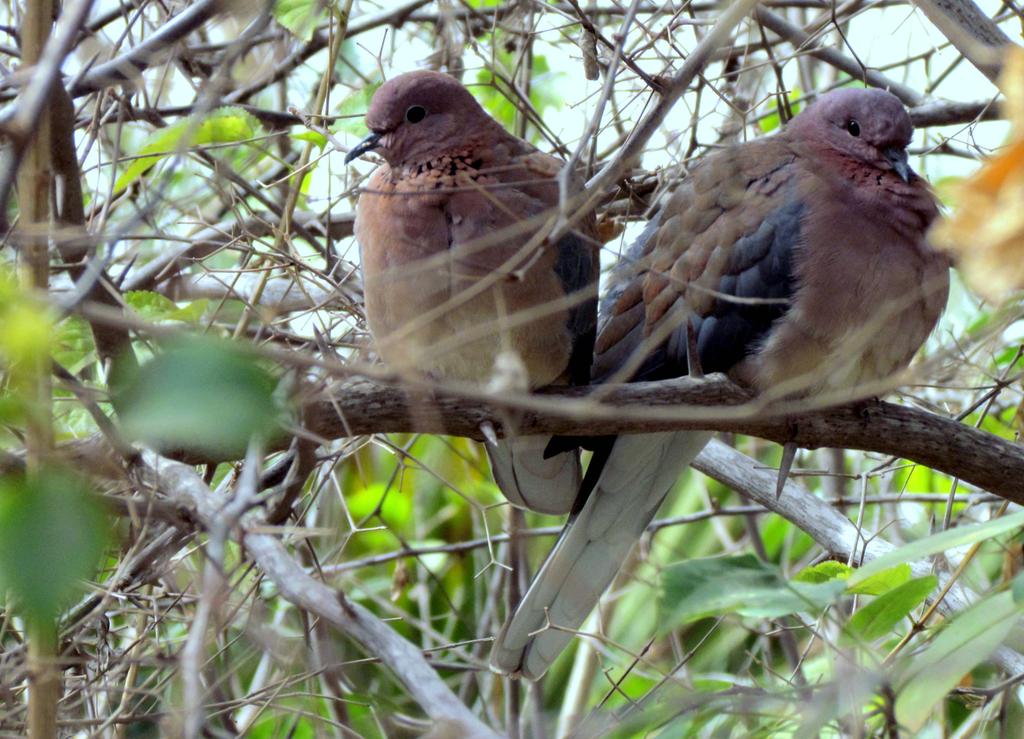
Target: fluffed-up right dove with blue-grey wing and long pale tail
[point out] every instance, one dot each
(797, 265)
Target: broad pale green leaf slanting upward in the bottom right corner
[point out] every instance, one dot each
(964, 644)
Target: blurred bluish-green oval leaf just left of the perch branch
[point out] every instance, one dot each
(200, 395)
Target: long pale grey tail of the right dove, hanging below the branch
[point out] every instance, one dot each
(638, 474)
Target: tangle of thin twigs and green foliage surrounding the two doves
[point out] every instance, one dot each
(217, 201)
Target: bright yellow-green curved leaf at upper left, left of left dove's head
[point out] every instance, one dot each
(226, 125)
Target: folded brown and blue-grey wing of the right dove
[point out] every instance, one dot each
(720, 256)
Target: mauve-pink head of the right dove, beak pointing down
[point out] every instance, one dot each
(869, 126)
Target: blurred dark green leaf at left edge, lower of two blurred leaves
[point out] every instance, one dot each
(53, 532)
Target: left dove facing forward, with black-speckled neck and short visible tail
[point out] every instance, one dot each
(458, 276)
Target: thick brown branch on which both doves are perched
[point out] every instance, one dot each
(714, 404)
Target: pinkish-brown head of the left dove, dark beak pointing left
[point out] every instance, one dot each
(419, 116)
